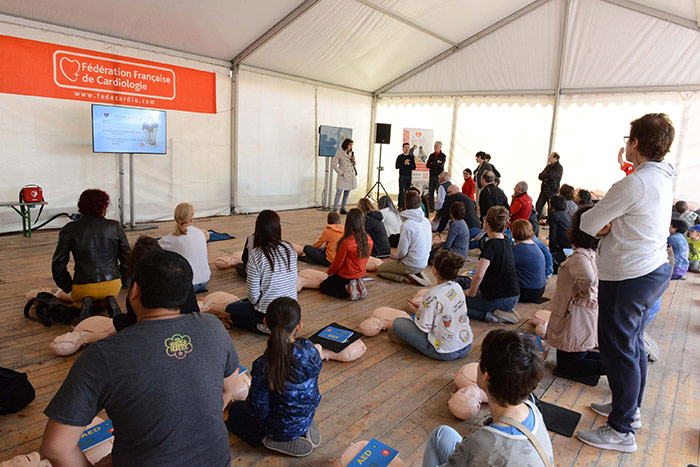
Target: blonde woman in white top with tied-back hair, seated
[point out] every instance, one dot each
(191, 242)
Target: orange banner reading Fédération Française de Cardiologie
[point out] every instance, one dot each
(42, 69)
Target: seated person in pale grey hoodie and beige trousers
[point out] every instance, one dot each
(411, 257)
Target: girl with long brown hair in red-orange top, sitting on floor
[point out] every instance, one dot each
(350, 264)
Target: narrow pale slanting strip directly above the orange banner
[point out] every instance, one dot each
(110, 40)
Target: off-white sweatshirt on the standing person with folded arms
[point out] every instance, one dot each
(638, 206)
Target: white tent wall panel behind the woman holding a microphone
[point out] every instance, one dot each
(277, 127)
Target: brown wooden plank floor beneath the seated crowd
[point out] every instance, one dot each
(392, 393)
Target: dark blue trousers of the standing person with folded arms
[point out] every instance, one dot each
(624, 307)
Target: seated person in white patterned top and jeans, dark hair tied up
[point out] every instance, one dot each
(440, 328)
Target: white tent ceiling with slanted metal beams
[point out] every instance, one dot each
(499, 46)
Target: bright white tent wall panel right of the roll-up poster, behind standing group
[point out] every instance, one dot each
(514, 130)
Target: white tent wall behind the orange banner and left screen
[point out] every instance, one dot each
(48, 142)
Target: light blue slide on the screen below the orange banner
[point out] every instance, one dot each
(128, 130)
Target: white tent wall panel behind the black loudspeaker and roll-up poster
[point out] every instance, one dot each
(427, 113)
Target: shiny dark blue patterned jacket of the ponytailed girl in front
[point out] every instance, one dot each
(288, 415)
